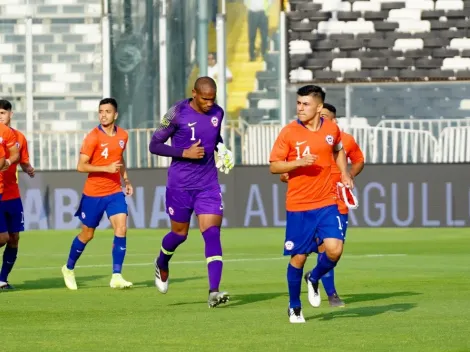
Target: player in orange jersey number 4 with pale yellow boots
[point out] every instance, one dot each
(101, 156)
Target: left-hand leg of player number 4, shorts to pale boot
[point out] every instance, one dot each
(90, 211)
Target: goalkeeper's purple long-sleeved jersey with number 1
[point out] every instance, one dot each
(185, 126)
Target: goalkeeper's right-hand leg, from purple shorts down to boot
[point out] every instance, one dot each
(209, 209)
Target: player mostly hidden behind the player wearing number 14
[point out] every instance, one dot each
(355, 155)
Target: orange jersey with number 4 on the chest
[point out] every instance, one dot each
(103, 150)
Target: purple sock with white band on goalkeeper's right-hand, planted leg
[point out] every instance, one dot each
(213, 252)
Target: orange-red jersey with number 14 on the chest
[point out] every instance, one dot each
(308, 187)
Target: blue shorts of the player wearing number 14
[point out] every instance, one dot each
(306, 230)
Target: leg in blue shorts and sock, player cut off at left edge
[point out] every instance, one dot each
(14, 217)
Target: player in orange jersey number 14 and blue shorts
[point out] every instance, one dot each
(306, 149)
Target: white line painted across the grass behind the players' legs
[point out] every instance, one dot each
(235, 260)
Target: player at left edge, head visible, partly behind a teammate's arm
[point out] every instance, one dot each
(12, 207)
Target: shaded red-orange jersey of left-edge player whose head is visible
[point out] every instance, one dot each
(10, 176)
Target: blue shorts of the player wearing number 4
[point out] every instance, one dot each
(91, 209)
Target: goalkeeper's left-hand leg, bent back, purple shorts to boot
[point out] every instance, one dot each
(179, 208)
